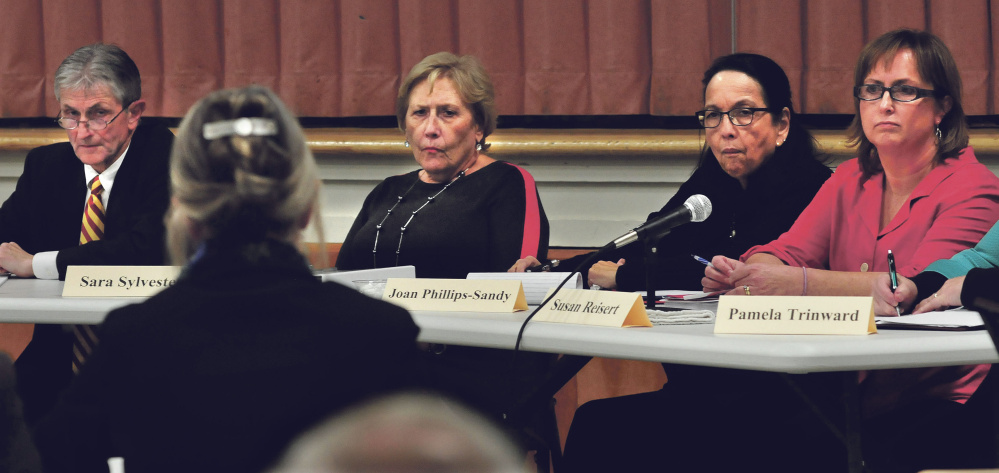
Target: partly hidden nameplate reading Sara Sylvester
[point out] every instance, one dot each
(118, 281)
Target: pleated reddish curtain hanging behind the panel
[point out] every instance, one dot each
(345, 58)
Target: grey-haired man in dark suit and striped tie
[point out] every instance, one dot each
(100, 98)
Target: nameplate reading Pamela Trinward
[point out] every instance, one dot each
(795, 315)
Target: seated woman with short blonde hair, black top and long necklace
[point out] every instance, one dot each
(462, 211)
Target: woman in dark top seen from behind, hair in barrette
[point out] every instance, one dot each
(220, 371)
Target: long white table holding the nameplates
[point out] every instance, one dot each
(38, 301)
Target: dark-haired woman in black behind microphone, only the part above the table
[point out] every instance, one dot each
(759, 167)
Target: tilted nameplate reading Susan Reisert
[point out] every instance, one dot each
(605, 308)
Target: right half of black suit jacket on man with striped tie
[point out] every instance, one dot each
(134, 230)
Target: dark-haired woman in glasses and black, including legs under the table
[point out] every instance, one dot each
(760, 168)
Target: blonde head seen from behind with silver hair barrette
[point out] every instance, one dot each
(241, 173)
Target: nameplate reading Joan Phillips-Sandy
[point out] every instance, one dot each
(456, 295)
